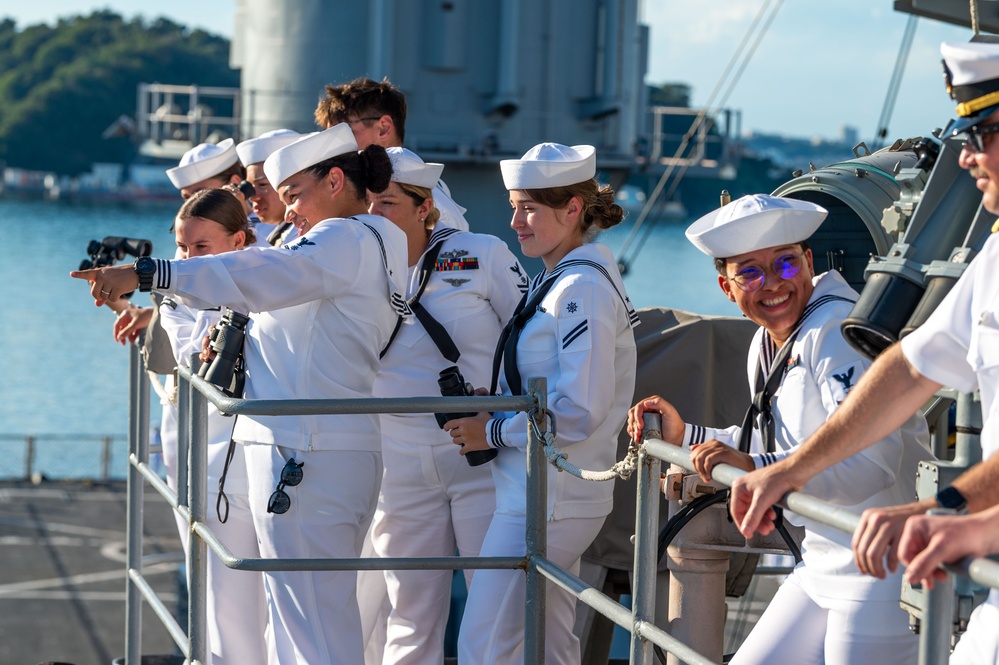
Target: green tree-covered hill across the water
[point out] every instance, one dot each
(61, 86)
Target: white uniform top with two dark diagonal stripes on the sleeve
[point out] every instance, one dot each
(581, 340)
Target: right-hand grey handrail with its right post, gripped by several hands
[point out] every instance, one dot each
(935, 630)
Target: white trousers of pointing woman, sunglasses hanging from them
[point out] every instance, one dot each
(312, 615)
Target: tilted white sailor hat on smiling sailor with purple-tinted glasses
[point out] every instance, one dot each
(755, 222)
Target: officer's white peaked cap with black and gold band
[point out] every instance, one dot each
(971, 71)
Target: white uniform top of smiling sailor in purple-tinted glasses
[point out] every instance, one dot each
(821, 370)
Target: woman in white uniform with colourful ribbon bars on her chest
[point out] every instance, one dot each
(432, 502)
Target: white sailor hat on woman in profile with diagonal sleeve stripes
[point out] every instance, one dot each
(550, 165)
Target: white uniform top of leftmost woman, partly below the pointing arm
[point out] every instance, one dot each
(187, 327)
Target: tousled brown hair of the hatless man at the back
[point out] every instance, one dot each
(362, 98)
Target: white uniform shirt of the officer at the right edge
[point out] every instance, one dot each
(958, 346)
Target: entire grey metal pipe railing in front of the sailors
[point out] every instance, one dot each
(190, 501)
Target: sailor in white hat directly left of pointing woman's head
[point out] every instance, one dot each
(271, 229)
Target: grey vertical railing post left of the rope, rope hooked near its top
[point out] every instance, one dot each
(537, 536)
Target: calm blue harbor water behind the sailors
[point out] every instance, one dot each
(64, 379)
